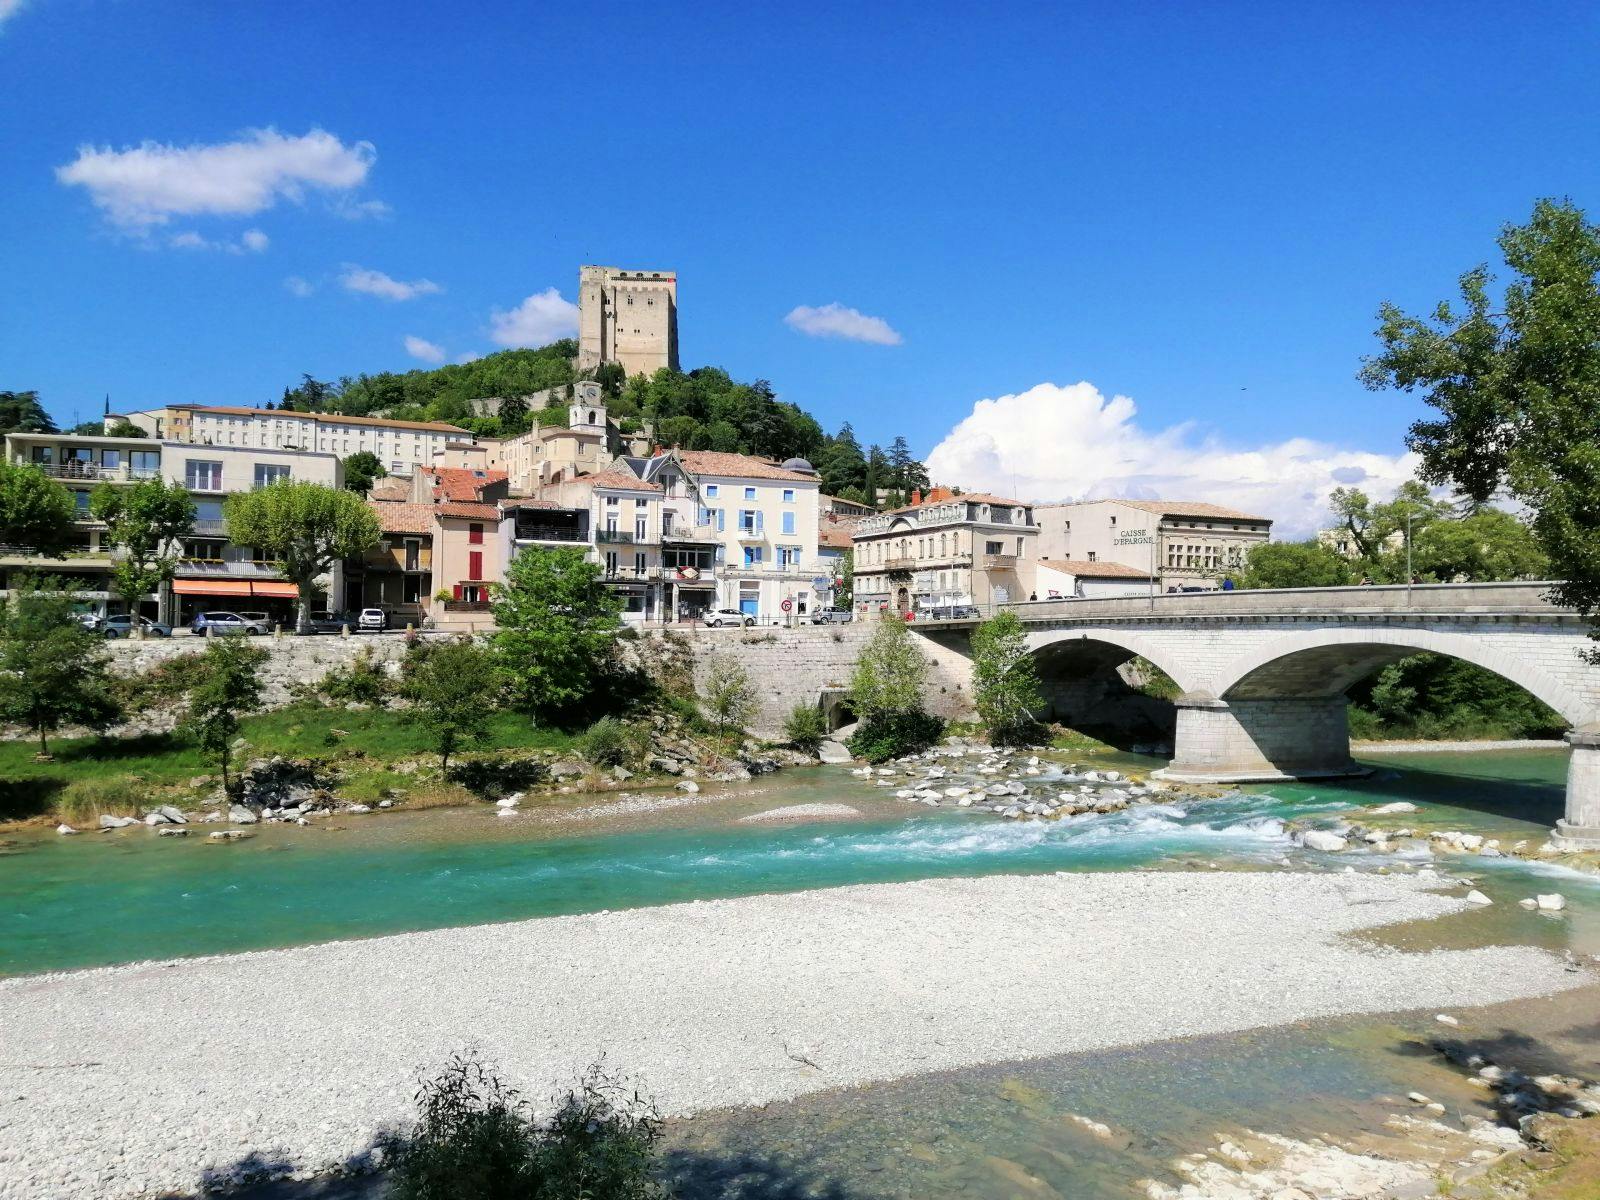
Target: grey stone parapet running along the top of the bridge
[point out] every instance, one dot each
(1513, 599)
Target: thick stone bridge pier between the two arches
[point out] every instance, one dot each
(1244, 742)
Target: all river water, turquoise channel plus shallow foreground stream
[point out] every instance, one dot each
(98, 900)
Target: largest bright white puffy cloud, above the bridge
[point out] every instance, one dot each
(1055, 442)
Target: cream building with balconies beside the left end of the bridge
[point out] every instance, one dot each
(945, 551)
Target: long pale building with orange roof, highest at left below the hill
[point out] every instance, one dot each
(399, 446)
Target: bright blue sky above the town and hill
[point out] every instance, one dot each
(1198, 207)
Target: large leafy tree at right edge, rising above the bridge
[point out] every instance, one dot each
(1518, 390)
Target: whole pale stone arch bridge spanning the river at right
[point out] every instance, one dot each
(1263, 674)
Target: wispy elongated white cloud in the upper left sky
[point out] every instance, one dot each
(150, 185)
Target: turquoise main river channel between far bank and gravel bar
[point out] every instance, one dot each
(129, 895)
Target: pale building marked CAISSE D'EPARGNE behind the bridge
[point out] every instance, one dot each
(1186, 545)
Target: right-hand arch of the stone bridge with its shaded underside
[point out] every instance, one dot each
(1327, 663)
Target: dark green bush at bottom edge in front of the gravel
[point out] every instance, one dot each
(476, 1142)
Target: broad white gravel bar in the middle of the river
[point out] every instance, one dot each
(138, 1079)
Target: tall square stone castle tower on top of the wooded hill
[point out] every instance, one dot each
(628, 318)
